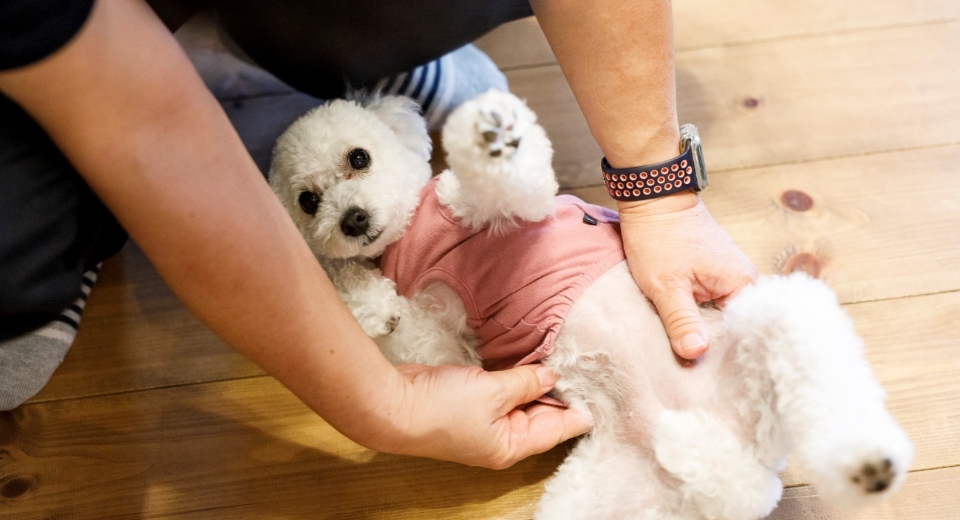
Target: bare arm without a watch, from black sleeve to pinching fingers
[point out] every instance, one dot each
(125, 106)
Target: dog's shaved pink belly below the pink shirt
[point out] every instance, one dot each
(616, 333)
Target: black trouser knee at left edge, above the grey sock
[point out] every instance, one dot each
(54, 227)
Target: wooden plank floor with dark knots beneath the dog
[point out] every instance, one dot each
(855, 105)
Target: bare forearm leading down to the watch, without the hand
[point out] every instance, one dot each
(618, 59)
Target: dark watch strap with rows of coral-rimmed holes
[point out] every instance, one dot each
(648, 182)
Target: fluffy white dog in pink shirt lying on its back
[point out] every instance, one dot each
(785, 372)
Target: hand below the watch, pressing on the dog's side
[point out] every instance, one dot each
(680, 257)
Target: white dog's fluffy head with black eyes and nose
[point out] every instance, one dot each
(350, 175)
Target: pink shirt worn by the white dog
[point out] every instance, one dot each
(517, 287)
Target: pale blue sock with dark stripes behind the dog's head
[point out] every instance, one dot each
(443, 84)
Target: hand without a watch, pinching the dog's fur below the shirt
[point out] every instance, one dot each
(466, 415)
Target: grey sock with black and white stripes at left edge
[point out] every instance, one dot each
(28, 361)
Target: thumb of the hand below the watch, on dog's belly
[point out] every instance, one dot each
(681, 317)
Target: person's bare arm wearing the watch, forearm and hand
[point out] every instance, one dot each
(618, 59)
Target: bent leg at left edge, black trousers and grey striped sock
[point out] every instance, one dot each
(53, 231)
